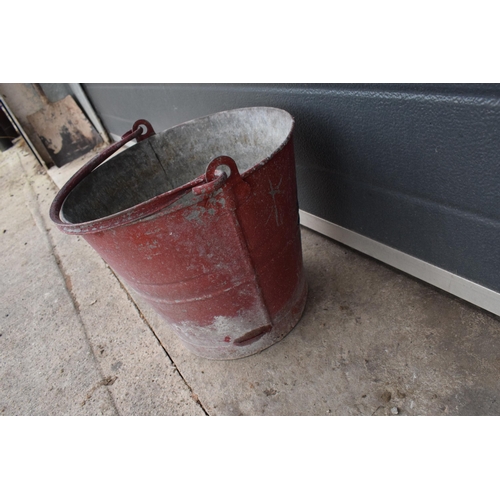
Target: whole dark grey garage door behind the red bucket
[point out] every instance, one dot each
(414, 167)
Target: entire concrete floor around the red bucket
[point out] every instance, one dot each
(372, 341)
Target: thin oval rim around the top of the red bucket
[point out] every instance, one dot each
(163, 200)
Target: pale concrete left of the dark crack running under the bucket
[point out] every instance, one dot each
(70, 319)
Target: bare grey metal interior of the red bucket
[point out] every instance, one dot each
(176, 156)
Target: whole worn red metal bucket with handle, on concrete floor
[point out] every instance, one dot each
(202, 221)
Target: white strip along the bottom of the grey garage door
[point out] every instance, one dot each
(467, 290)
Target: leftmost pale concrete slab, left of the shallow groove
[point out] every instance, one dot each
(46, 364)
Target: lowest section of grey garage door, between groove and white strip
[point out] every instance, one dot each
(450, 238)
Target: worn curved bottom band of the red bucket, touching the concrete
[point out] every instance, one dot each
(283, 324)
